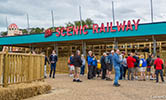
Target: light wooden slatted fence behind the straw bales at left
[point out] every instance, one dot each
(17, 68)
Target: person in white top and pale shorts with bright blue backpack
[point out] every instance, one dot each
(142, 65)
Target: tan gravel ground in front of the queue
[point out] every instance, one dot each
(64, 89)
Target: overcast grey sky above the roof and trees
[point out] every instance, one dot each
(67, 10)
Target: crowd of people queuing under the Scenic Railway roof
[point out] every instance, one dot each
(133, 65)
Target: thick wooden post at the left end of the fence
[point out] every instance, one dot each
(5, 70)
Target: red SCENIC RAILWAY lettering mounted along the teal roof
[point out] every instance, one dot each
(72, 30)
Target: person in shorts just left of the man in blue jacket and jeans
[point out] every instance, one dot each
(108, 61)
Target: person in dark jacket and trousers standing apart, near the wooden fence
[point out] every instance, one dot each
(53, 61)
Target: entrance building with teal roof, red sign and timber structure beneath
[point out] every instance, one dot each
(149, 38)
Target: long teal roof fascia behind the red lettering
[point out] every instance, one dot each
(148, 30)
